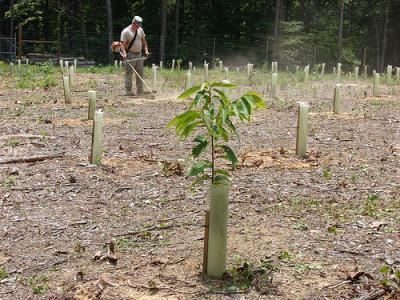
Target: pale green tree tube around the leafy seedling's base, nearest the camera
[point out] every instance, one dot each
(217, 234)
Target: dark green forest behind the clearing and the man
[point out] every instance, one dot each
(292, 32)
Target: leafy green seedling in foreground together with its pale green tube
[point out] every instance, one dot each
(211, 112)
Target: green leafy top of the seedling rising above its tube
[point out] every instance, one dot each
(212, 112)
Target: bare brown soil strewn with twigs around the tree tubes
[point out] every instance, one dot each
(323, 225)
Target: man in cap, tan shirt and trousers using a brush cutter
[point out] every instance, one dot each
(133, 39)
